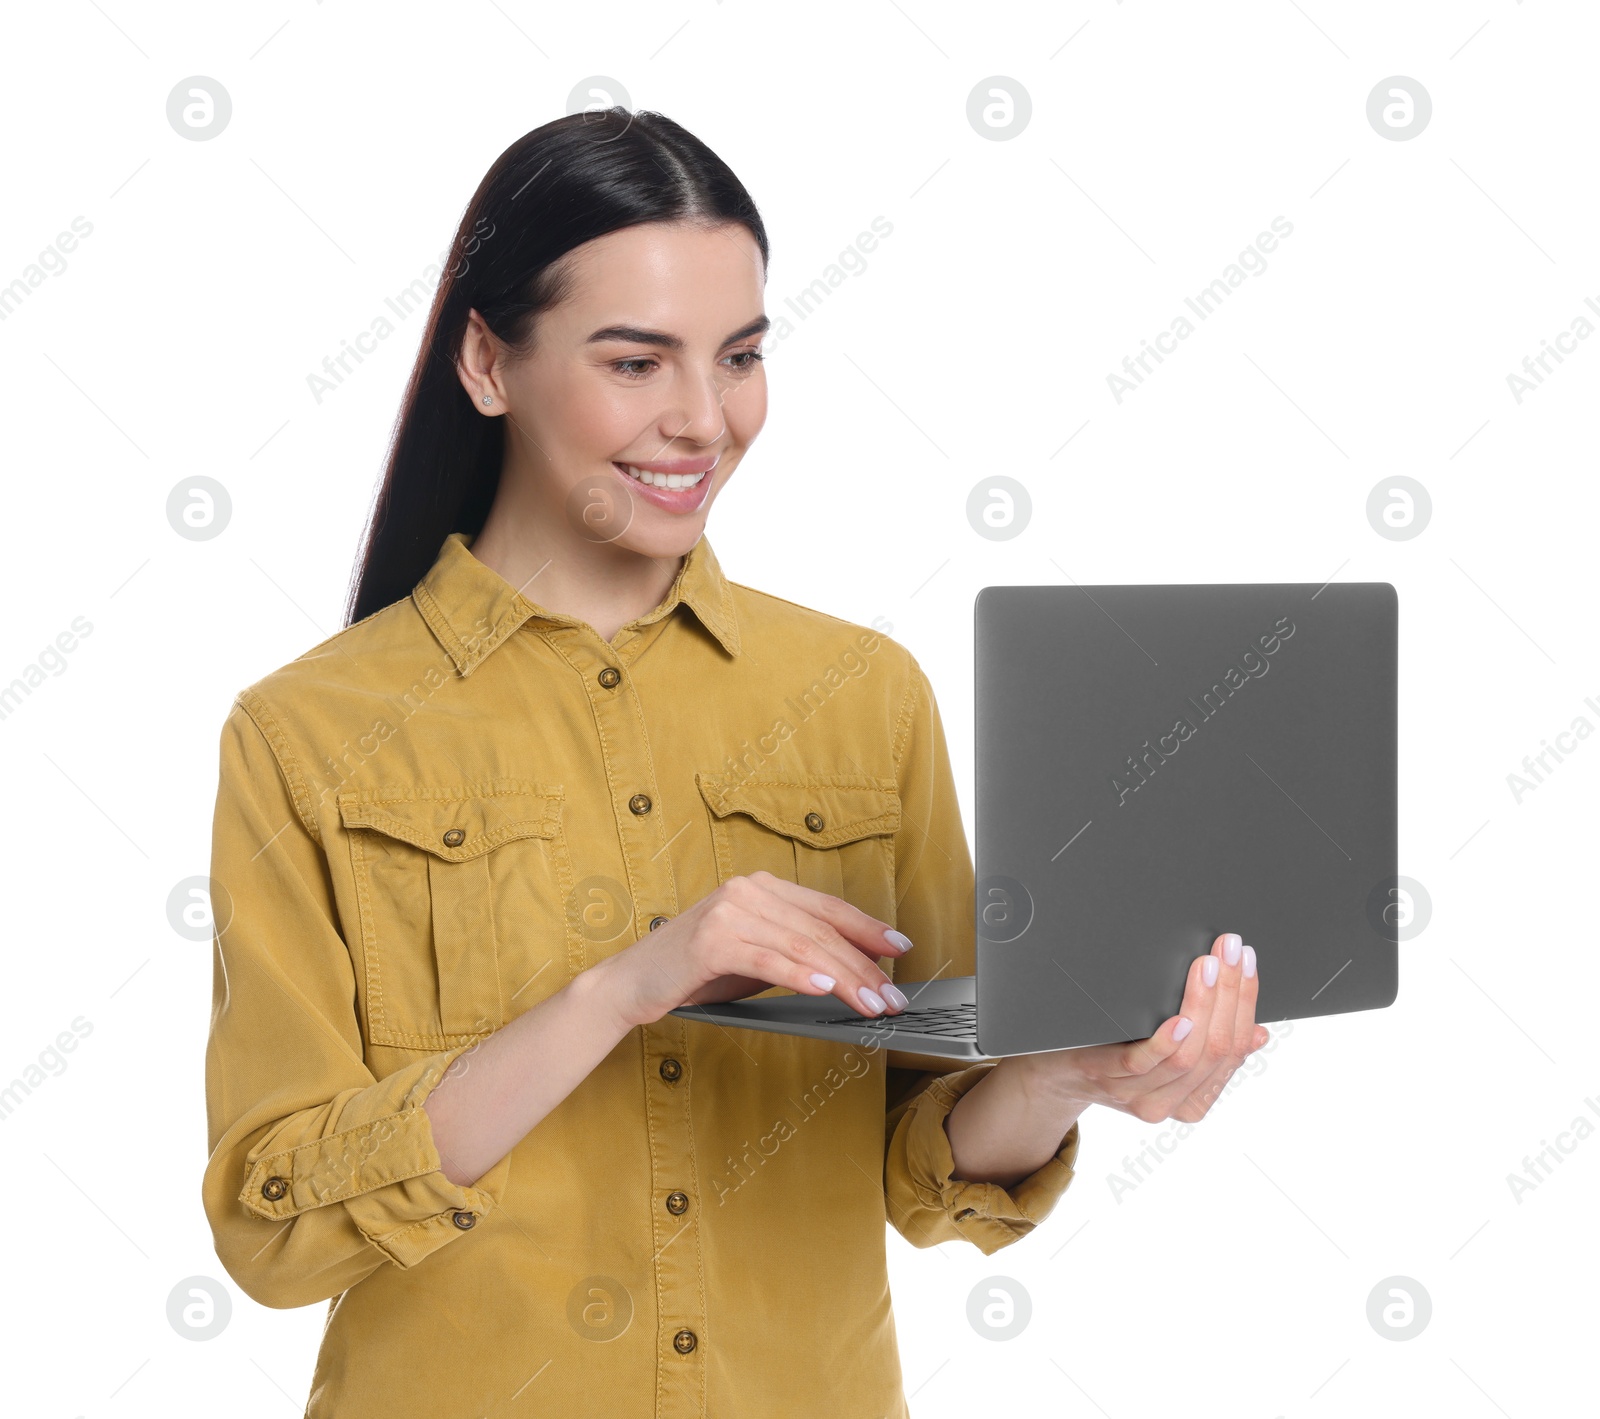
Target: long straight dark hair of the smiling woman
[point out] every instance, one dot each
(553, 190)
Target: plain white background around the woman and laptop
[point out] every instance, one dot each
(978, 342)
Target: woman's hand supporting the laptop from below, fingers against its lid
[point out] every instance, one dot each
(1182, 1069)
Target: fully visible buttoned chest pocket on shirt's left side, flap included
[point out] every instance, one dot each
(462, 897)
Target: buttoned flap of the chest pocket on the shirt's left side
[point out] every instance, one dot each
(457, 821)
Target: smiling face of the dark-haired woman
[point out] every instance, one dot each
(652, 366)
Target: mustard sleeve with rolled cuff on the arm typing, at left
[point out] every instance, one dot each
(319, 1173)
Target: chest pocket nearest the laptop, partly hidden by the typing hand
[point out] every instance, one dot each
(831, 833)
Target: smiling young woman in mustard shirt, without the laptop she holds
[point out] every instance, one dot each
(558, 778)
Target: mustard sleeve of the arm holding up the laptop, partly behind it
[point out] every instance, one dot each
(924, 1202)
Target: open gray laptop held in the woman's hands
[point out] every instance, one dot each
(1158, 765)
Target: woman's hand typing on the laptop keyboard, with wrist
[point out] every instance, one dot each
(753, 933)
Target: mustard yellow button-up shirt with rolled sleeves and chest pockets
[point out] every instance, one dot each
(442, 815)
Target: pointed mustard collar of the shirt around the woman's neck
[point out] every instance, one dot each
(471, 609)
